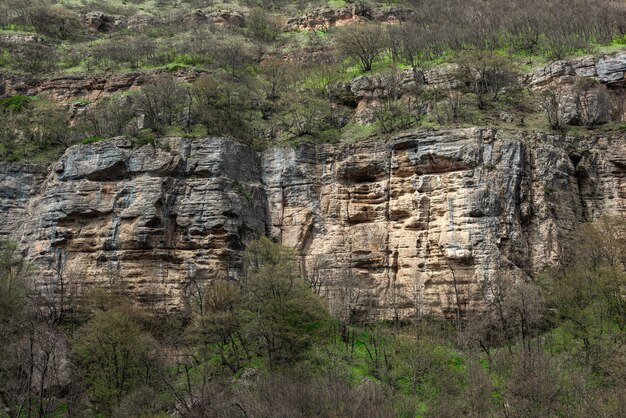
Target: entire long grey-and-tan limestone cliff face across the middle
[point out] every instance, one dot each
(428, 216)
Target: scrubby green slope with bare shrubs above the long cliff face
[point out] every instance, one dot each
(266, 72)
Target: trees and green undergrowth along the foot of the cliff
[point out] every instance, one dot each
(267, 346)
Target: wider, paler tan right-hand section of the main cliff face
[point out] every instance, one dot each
(425, 212)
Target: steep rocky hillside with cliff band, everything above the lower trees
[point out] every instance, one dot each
(405, 164)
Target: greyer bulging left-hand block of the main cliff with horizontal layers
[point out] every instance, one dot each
(156, 217)
